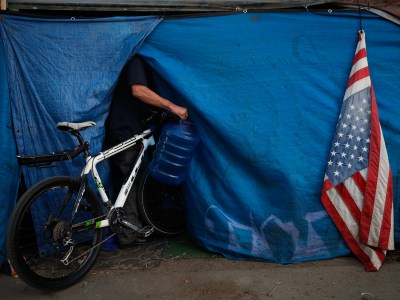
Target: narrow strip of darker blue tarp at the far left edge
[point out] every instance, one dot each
(9, 168)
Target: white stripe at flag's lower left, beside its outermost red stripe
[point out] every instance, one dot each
(352, 225)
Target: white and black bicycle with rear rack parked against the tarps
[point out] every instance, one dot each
(57, 227)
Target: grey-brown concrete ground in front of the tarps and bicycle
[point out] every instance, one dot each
(220, 278)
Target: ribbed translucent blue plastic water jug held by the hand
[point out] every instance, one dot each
(174, 151)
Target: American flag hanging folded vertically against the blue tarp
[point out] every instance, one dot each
(357, 190)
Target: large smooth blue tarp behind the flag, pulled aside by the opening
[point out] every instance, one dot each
(265, 90)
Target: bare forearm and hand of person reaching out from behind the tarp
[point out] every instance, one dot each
(148, 96)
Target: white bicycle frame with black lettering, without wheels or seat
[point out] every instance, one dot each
(147, 139)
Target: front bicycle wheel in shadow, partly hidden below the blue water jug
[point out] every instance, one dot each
(161, 206)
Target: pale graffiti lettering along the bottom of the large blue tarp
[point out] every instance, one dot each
(272, 237)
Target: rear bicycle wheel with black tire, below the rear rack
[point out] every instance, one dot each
(37, 226)
